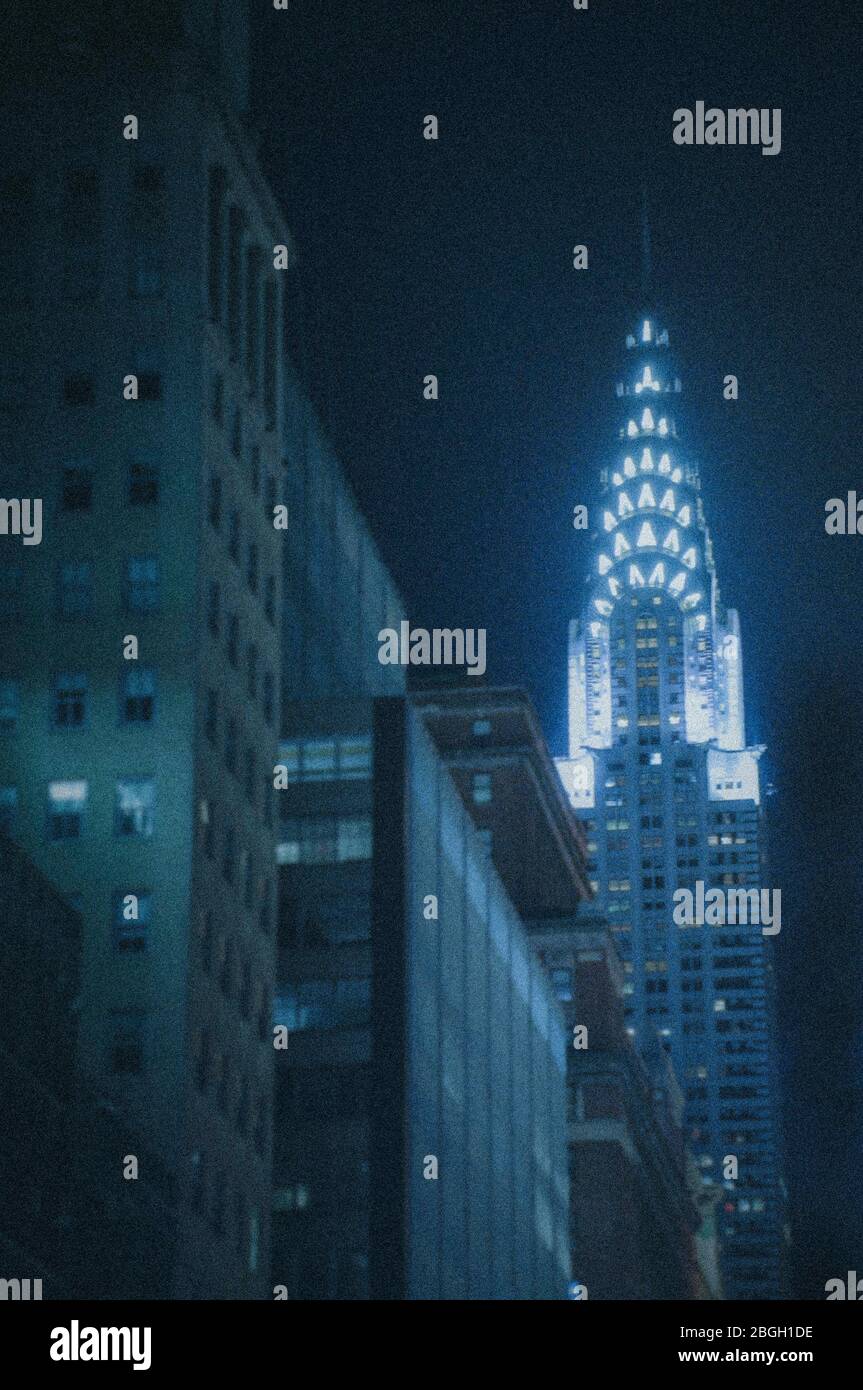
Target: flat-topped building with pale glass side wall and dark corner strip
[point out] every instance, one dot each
(420, 1147)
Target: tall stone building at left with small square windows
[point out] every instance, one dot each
(140, 650)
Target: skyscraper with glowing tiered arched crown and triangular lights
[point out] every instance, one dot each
(661, 769)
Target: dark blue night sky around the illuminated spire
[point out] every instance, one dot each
(455, 258)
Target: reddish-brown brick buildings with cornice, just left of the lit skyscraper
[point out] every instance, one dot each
(641, 1224)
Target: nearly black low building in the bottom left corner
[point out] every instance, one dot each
(69, 1217)
